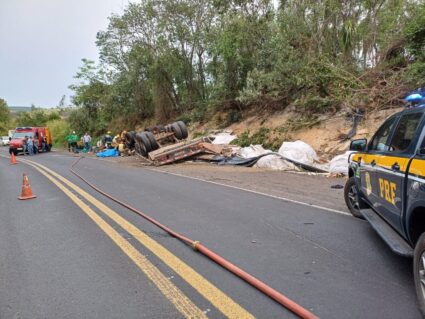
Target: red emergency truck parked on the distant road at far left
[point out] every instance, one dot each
(41, 135)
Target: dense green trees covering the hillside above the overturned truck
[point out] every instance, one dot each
(212, 60)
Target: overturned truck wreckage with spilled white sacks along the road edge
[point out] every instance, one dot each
(167, 144)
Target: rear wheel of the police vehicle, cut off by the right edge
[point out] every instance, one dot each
(419, 272)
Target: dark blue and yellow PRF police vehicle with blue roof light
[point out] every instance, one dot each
(386, 185)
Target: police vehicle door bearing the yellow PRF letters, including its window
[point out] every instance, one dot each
(391, 166)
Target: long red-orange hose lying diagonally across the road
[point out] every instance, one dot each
(258, 284)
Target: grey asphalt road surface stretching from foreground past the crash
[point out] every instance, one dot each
(57, 262)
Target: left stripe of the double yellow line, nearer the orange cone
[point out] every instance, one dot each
(183, 304)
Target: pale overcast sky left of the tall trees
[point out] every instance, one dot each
(42, 43)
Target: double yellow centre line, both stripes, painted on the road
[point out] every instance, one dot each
(182, 303)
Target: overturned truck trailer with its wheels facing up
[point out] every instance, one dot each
(167, 144)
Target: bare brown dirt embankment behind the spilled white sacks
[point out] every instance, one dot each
(324, 133)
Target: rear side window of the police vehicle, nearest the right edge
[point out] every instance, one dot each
(405, 132)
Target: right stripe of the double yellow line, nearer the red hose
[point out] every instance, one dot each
(220, 300)
